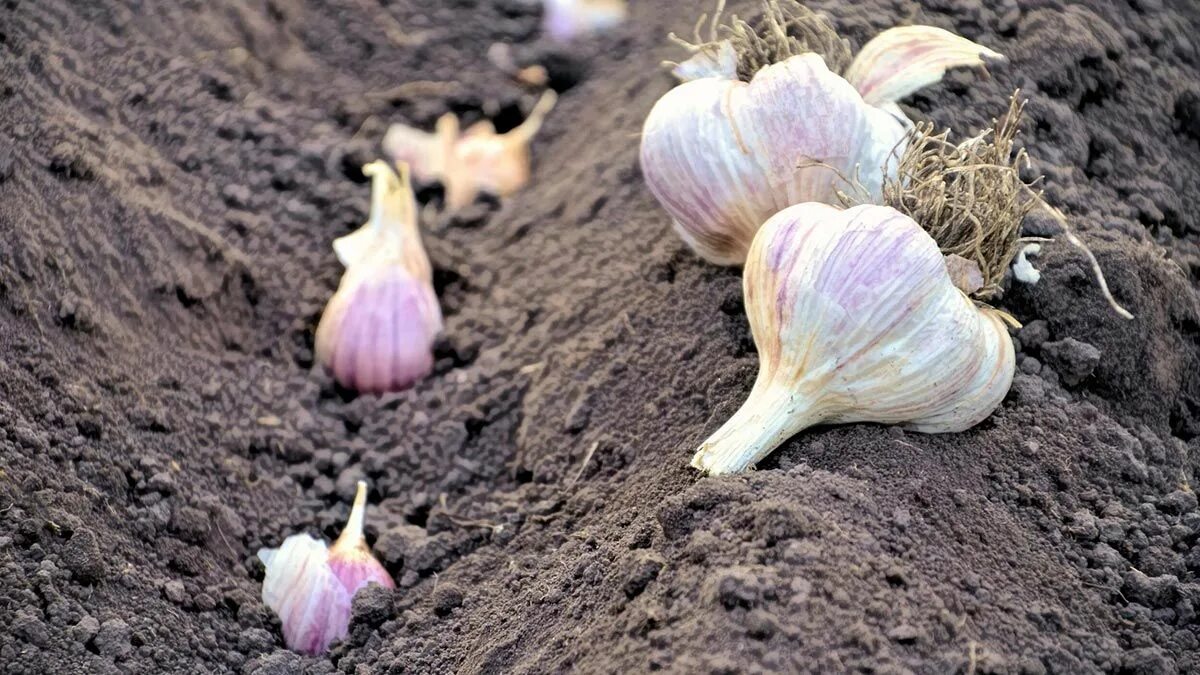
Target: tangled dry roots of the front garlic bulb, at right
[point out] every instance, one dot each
(970, 196)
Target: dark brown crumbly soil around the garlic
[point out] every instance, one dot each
(172, 176)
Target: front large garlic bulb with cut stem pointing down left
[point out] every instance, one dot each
(856, 319)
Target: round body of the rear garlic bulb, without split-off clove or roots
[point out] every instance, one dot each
(723, 157)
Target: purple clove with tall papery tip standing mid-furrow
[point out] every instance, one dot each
(377, 332)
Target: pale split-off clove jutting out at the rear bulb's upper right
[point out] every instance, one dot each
(902, 61)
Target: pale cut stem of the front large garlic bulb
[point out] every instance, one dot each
(770, 416)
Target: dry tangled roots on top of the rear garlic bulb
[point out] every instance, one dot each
(785, 29)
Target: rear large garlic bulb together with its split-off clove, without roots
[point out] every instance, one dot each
(724, 156)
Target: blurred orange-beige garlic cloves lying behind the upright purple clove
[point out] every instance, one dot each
(473, 162)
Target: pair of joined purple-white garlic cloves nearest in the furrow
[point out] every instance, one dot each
(311, 588)
